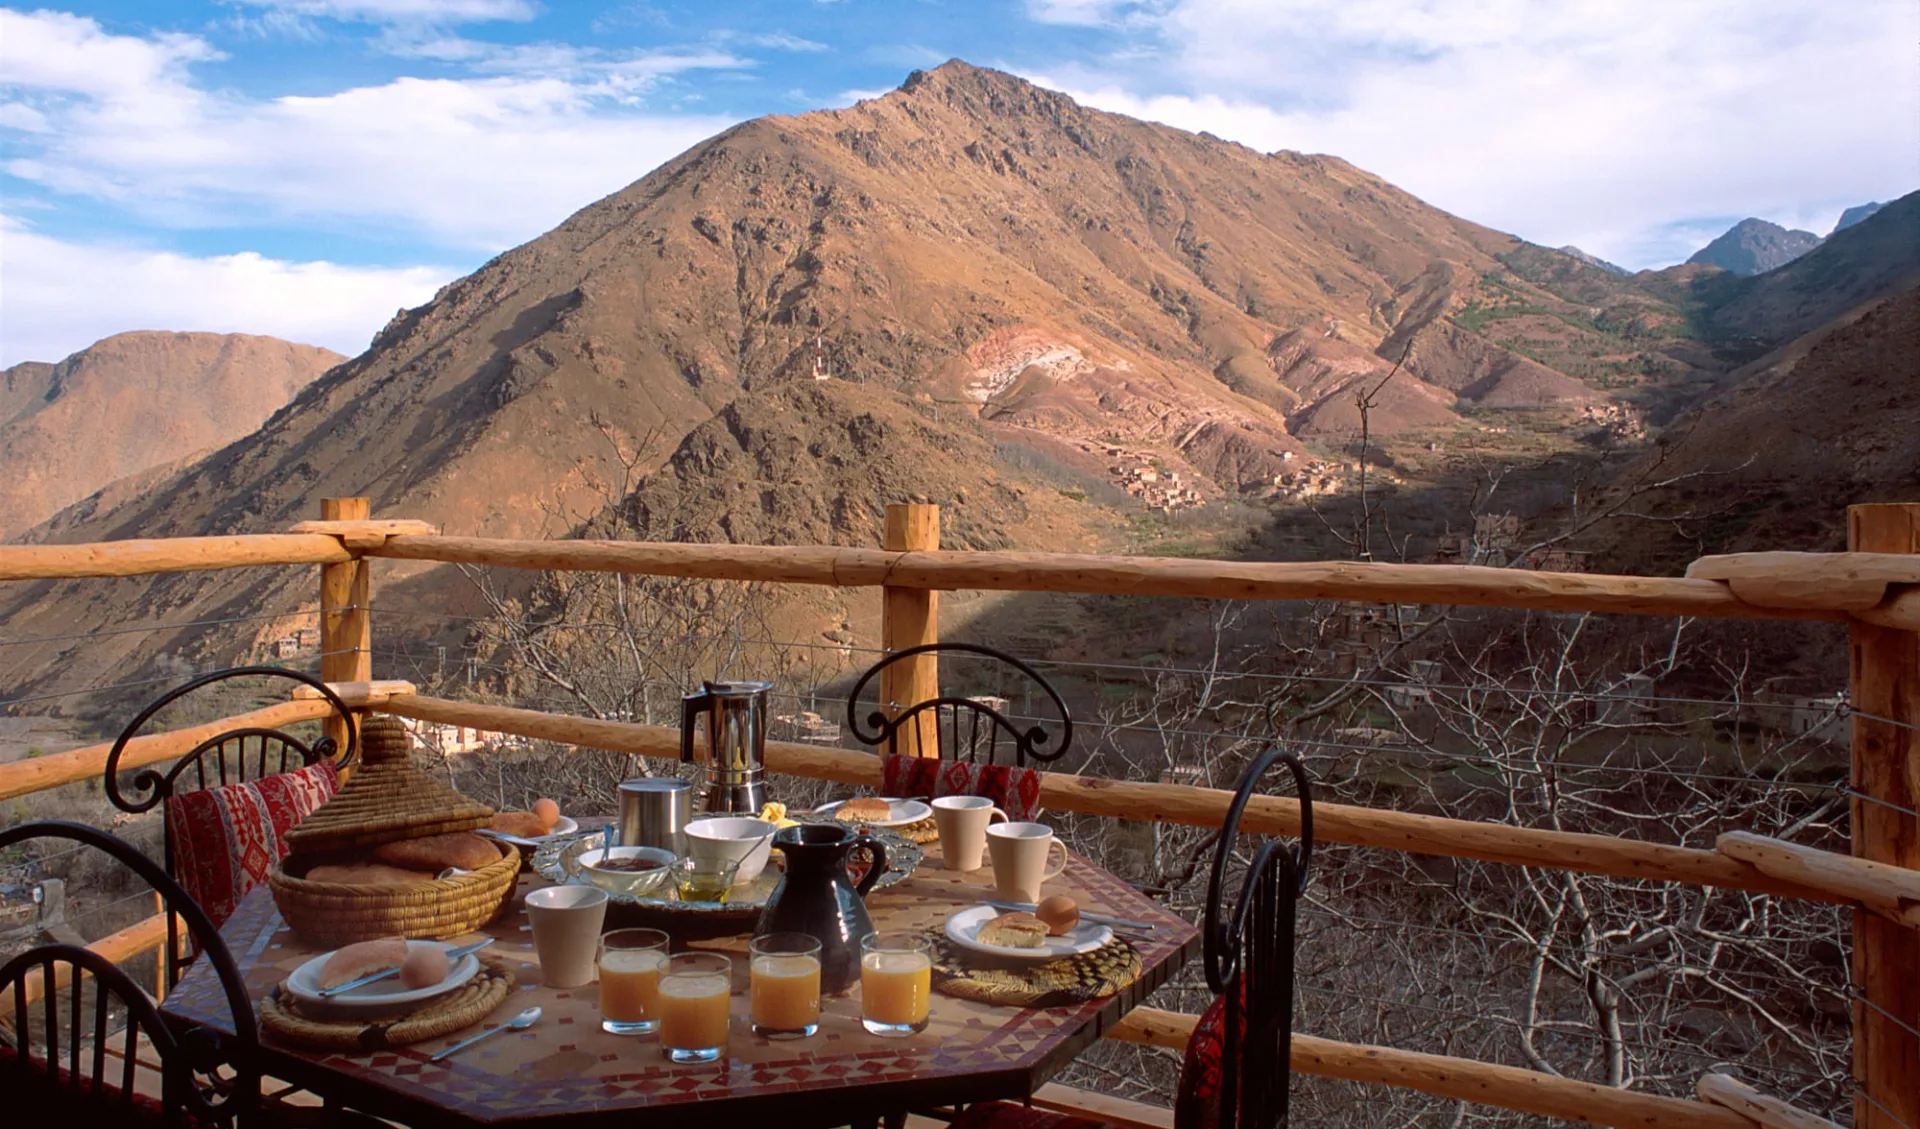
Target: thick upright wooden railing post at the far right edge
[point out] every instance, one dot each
(1886, 767)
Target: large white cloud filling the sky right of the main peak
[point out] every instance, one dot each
(1604, 124)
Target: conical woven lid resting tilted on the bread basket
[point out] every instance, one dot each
(387, 800)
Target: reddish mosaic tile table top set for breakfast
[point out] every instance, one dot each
(565, 1069)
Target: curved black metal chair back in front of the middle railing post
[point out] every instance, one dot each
(969, 729)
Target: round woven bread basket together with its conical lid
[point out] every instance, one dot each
(387, 802)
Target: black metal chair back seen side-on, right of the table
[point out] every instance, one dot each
(1249, 951)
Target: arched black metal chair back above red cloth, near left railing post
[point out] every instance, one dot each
(224, 757)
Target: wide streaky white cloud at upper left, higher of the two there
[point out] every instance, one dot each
(477, 164)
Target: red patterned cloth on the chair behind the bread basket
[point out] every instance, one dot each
(226, 840)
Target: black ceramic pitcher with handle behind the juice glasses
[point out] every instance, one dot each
(819, 900)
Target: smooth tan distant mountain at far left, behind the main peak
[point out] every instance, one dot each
(132, 404)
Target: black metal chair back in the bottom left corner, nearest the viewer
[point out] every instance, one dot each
(204, 1076)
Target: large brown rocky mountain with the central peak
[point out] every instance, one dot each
(1020, 306)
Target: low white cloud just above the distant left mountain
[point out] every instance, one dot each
(60, 297)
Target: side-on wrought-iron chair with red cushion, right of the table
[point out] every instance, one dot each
(1237, 1070)
